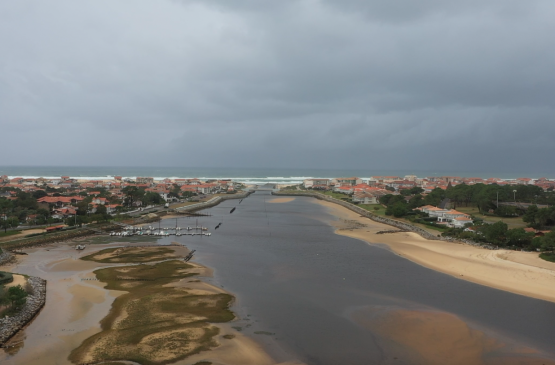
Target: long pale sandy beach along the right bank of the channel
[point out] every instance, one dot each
(517, 272)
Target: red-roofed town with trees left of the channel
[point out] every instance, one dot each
(36, 201)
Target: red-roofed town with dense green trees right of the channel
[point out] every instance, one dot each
(516, 213)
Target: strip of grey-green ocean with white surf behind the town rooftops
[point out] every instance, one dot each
(246, 175)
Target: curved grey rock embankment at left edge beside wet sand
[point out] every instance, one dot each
(9, 326)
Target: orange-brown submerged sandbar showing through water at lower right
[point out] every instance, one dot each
(431, 337)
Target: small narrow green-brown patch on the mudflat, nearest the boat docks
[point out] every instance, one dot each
(131, 255)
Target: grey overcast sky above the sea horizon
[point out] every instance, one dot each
(289, 83)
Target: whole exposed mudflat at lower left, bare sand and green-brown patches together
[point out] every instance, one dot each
(141, 304)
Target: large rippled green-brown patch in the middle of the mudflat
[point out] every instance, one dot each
(153, 323)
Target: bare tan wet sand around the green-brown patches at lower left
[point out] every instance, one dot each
(77, 302)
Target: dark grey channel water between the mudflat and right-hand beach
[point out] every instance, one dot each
(298, 285)
